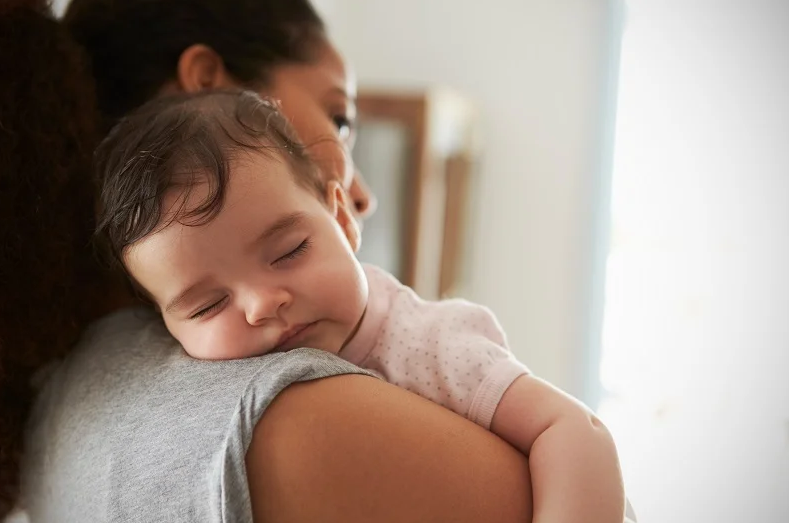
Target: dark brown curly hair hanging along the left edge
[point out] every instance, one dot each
(49, 283)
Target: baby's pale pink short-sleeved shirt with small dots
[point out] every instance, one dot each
(452, 352)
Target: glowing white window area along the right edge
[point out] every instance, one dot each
(697, 348)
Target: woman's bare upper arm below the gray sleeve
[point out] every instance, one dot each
(354, 449)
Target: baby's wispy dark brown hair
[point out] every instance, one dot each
(180, 141)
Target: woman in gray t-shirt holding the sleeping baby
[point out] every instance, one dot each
(127, 427)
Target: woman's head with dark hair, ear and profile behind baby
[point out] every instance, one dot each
(276, 47)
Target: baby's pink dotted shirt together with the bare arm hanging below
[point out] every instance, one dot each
(455, 354)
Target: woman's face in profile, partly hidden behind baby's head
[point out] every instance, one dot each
(319, 99)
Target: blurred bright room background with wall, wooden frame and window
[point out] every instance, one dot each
(612, 179)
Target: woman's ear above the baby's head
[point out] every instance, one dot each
(201, 68)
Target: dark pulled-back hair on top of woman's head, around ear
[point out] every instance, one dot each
(135, 45)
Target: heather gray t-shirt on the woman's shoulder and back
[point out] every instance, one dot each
(129, 428)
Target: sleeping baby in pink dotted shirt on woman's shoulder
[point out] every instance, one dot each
(224, 223)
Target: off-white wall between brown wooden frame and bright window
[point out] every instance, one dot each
(536, 70)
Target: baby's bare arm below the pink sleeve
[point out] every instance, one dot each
(572, 457)
